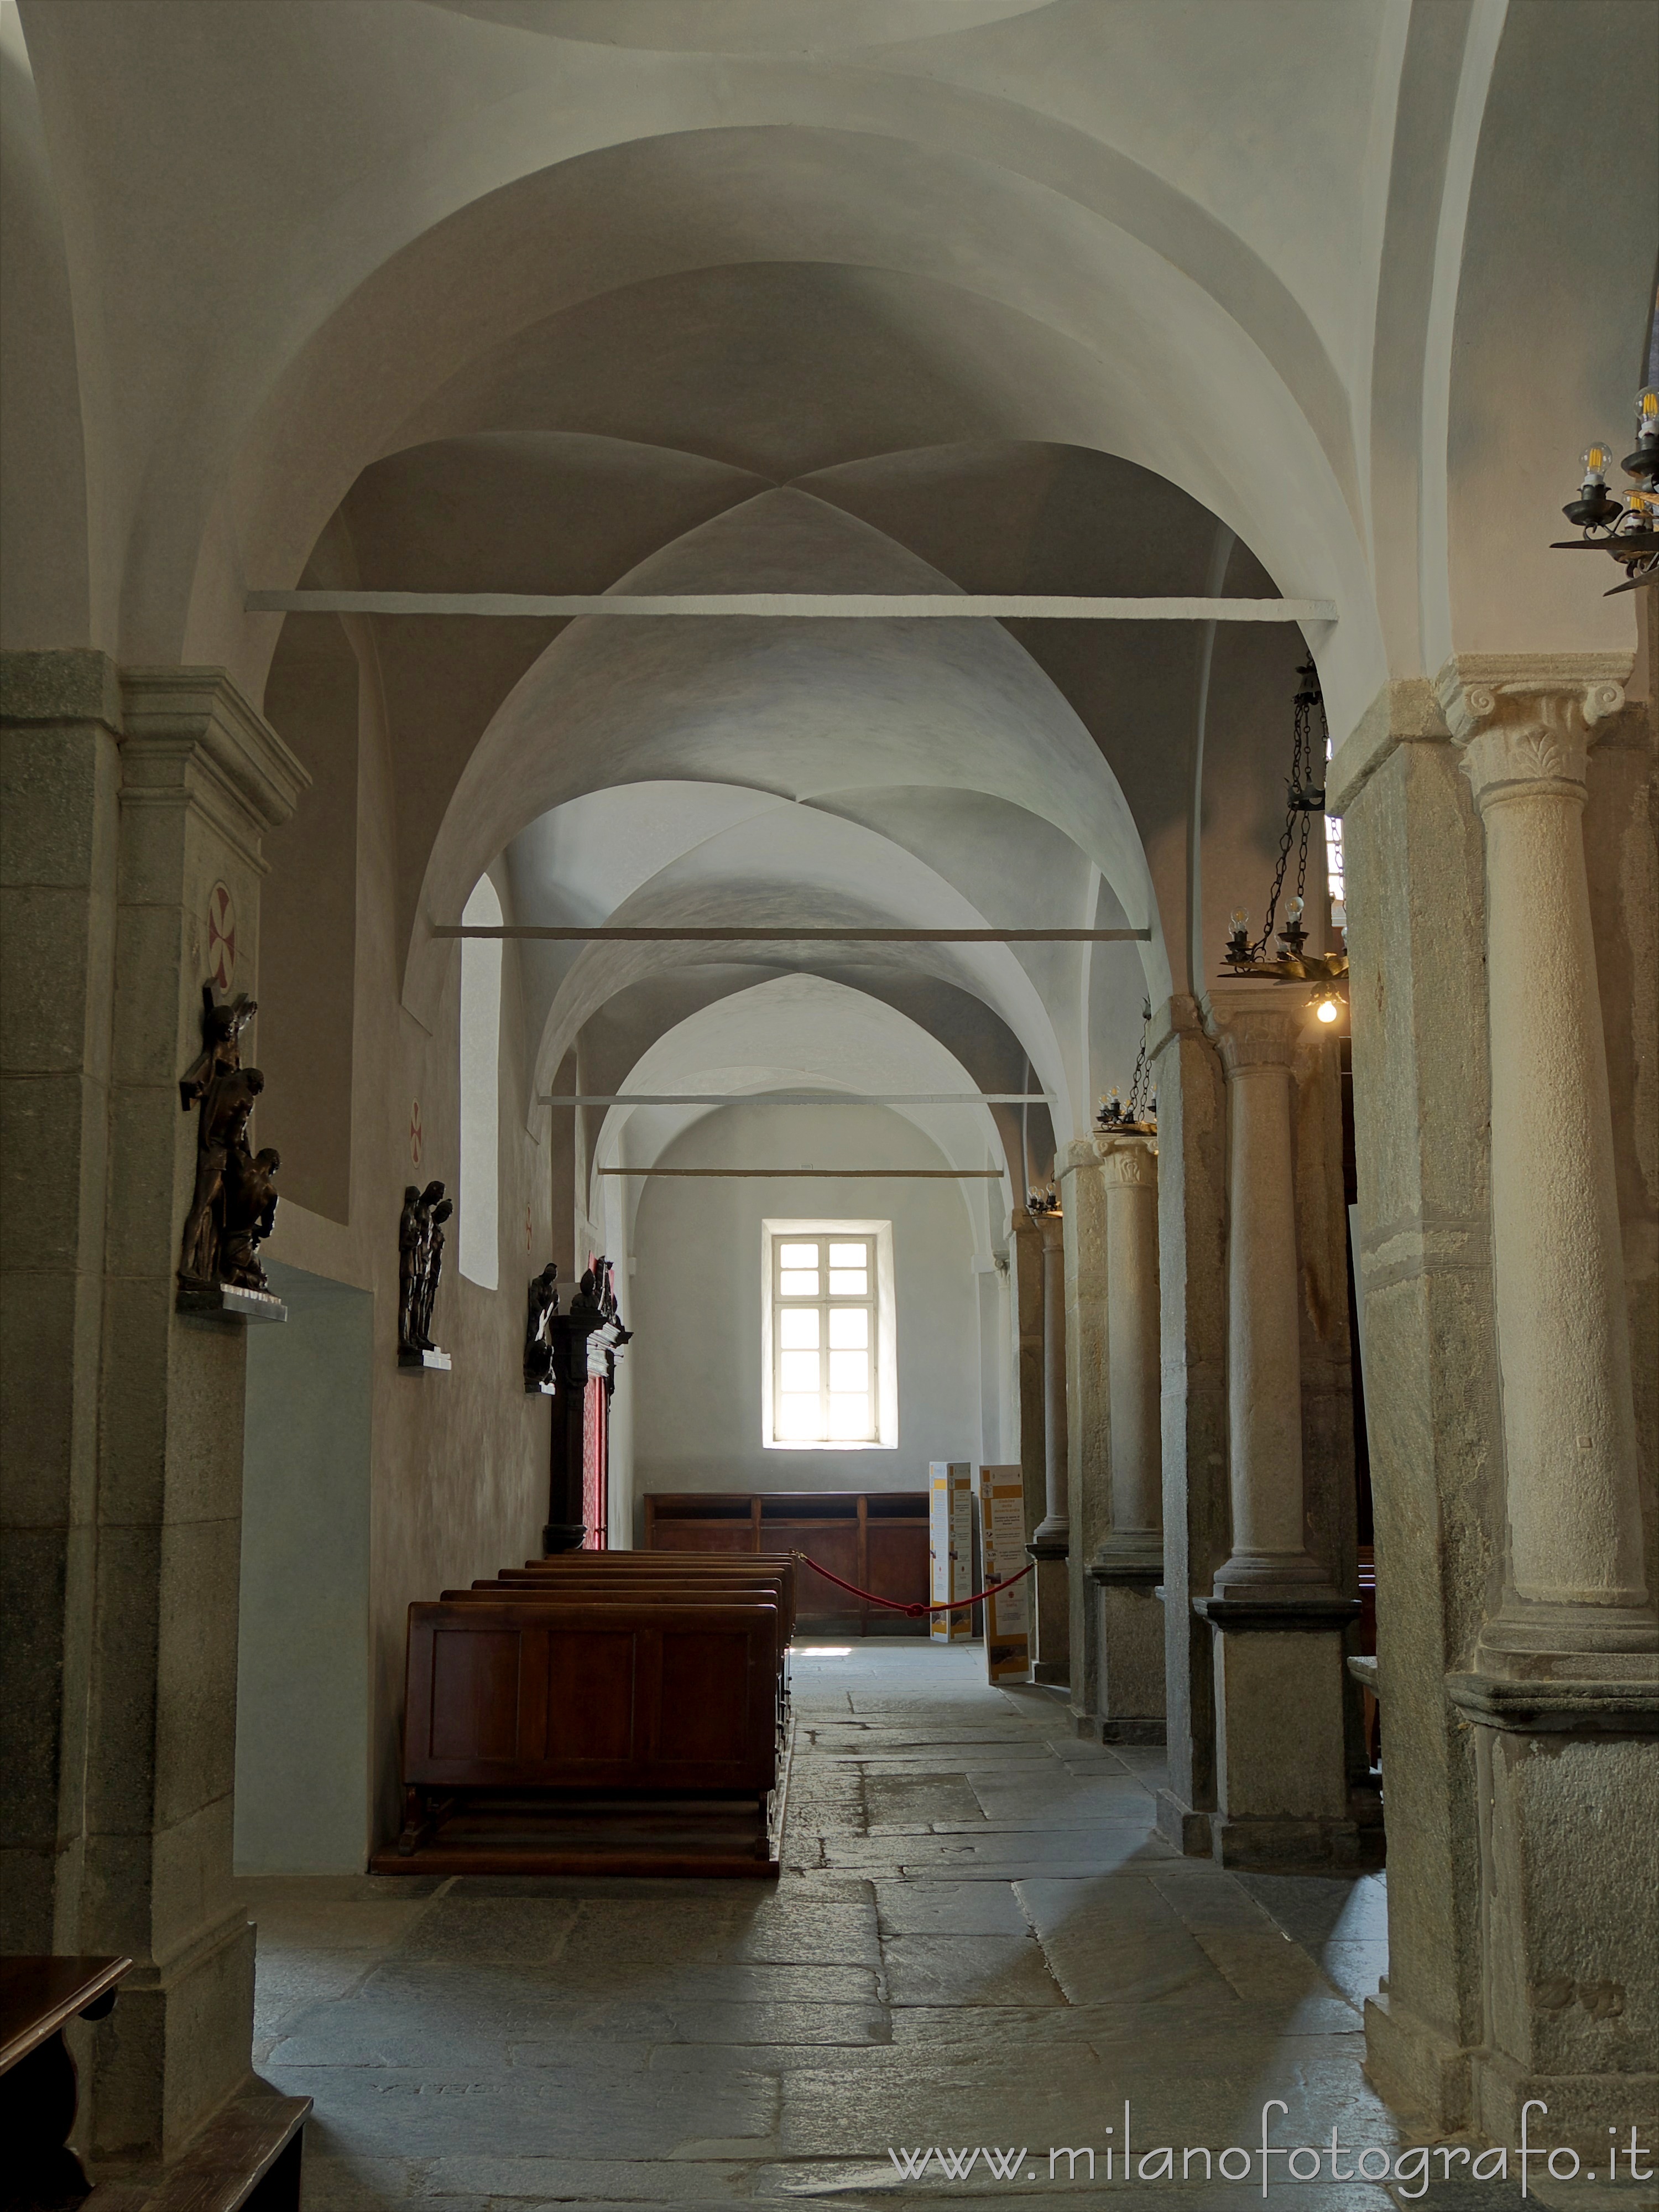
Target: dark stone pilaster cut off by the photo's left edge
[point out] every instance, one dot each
(61, 720)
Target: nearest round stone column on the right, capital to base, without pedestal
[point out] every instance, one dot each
(1576, 1580)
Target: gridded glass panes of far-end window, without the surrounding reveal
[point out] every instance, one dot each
(824, 1339)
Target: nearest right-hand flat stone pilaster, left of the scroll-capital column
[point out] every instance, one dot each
(1421, 1098)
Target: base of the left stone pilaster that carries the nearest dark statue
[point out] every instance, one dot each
(176, 2047)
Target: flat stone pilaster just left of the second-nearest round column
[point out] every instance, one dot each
(1193, 1364)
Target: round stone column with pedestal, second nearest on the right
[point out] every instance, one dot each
(1277, 1623)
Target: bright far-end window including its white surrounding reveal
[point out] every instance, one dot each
(831, 1337)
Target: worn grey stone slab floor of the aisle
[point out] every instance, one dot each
(979, 1939)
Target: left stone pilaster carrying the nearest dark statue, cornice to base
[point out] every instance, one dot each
(202, 778)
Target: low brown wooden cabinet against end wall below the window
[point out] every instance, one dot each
(873, 1538)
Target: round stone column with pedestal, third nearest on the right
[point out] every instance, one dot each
(1129, 1563)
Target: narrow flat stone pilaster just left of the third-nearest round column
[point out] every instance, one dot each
(1083, 1218)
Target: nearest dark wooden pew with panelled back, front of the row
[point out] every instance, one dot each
(592, 1735)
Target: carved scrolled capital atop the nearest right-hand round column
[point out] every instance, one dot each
(1527, 720)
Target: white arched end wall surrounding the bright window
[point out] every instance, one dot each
(696, 1306)
